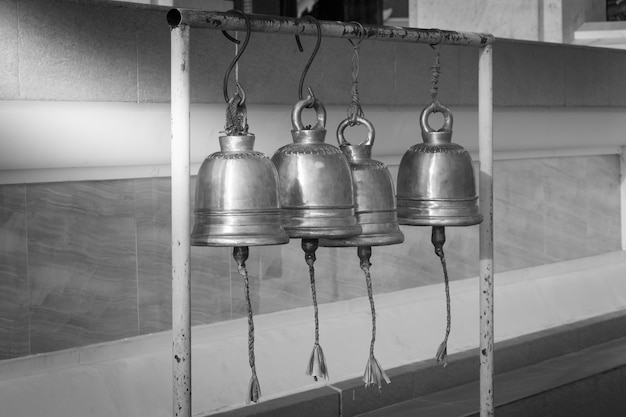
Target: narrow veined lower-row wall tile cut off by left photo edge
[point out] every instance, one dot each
(14, 338)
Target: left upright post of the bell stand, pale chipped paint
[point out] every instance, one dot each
(181, 248)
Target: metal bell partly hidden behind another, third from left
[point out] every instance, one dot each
(373, 193)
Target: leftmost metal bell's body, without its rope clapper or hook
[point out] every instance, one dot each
(237, 197)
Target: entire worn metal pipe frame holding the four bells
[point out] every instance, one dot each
(181, 21)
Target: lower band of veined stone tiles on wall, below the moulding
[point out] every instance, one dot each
(86, 262)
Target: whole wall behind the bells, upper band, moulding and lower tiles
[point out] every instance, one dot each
(85, 256)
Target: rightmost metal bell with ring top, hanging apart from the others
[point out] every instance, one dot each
(436, 180)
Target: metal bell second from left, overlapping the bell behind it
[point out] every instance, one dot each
(315, 187)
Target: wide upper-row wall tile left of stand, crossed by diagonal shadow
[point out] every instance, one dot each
(77, 51)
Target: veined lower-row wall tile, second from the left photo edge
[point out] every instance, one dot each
(81, 263)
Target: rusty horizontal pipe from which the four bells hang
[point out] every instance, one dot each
(346, 30)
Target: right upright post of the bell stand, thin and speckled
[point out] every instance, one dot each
(485, 143)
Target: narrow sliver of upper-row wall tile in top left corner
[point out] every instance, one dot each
(9, 67)
